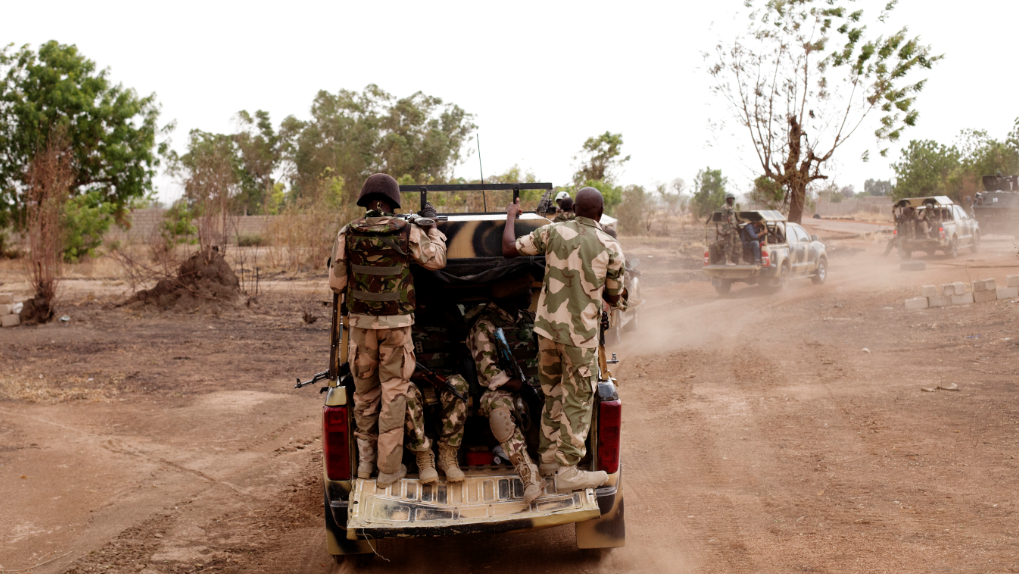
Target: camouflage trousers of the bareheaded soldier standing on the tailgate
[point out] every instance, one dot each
(567, 375)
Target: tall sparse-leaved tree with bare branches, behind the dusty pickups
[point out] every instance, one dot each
(807, 76)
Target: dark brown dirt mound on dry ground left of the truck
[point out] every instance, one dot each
(202, 280)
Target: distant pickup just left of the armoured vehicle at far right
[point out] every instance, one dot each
(948, 229)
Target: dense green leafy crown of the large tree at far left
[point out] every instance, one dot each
(111, 129)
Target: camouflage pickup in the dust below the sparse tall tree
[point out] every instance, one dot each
(789, 252)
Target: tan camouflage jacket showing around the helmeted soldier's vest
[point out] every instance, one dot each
(428, 250)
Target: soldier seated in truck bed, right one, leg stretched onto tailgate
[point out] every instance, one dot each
(499, 401)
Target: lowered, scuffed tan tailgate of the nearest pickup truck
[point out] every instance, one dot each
(491, 503)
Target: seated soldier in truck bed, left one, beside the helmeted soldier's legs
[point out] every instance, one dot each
(435, 337)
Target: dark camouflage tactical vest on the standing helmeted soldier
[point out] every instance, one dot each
(380, 280)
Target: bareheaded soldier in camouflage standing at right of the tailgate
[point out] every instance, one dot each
(583, 266)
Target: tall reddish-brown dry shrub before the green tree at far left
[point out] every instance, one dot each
(48, 182)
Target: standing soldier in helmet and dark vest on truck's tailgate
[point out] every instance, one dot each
(371, 263)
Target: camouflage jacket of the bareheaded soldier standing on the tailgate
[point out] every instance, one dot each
(581, 262)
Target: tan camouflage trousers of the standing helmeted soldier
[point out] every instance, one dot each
(382, 363)
